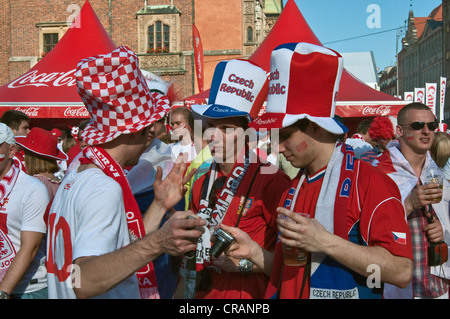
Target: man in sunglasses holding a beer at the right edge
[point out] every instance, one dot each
(406, 162)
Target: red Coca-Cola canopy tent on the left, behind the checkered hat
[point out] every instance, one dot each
(47, 92)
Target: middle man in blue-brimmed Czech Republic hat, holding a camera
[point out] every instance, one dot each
(238, 189)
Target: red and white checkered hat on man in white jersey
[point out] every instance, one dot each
(117, 96)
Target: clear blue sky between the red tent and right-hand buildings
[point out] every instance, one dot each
(369, 22)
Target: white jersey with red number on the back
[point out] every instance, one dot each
(87, 218)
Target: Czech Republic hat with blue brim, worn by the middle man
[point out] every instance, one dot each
(239, 88)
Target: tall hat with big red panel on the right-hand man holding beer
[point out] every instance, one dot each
(304, 82)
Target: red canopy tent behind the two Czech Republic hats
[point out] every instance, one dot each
(355, 99)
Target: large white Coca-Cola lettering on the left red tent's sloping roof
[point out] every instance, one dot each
(36, 79)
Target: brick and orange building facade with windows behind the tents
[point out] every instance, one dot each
(228, 28)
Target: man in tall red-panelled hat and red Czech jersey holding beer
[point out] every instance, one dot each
(356, 237)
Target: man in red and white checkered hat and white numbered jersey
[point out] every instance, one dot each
(98, 243)
